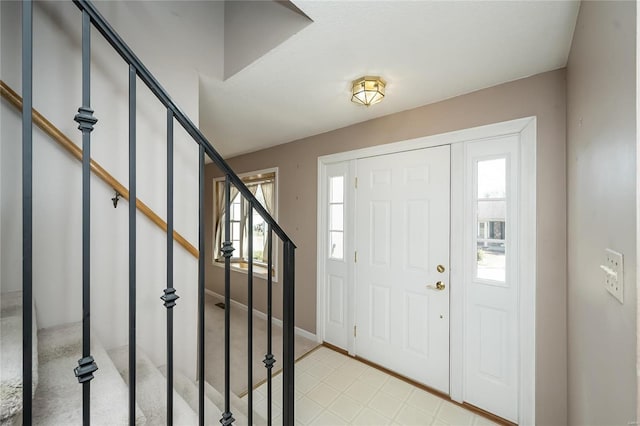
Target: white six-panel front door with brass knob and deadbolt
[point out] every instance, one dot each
(402, 236)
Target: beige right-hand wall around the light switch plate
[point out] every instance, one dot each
(601, 170)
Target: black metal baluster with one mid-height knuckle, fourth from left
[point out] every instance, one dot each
(170, 295)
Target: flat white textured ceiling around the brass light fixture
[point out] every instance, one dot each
(426, 51)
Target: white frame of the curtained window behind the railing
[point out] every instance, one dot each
(239, 263)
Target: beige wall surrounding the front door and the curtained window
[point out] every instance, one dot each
(542, 96)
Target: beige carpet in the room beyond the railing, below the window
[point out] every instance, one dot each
(214, 347)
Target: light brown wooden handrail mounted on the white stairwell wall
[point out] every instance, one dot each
(55, 133)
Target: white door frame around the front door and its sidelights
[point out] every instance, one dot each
(525, 128)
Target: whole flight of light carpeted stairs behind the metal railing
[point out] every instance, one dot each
(58, 395)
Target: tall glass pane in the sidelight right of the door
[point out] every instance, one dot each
(491, 203)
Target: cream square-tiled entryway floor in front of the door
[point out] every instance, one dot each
(333, 389)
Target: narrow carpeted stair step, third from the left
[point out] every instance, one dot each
(151, 389)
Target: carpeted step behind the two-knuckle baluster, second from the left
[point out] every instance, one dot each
(58, 400)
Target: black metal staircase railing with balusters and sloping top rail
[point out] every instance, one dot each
(86, 121)
